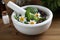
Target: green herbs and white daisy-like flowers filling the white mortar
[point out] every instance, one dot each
(32, 16)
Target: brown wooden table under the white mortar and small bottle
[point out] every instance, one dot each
(8, 32)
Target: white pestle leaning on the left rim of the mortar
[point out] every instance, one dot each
(16, 8)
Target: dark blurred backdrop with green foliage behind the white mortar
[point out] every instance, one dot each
(53, 5)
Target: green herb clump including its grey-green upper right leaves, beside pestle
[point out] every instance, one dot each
(30, 11)
